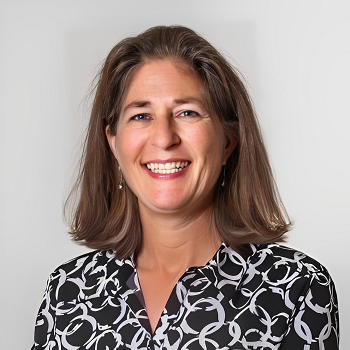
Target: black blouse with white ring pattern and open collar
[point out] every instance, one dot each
(278, 298)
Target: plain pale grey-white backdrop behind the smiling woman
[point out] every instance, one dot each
(295, 56)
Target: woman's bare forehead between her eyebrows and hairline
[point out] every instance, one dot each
(164, 79)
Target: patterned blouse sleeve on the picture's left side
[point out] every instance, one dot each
(44, 333)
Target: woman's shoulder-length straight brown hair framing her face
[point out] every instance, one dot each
(248, 208)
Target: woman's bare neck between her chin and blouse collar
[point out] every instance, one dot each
(173, 243)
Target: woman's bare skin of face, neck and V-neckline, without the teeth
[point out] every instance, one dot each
(163, 118)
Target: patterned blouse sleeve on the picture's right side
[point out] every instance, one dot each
(315, 323)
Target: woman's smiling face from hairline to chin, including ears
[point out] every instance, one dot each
(169, 148)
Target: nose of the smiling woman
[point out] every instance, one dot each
(165, 132)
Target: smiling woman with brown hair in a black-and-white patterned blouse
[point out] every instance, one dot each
(176, 193)
